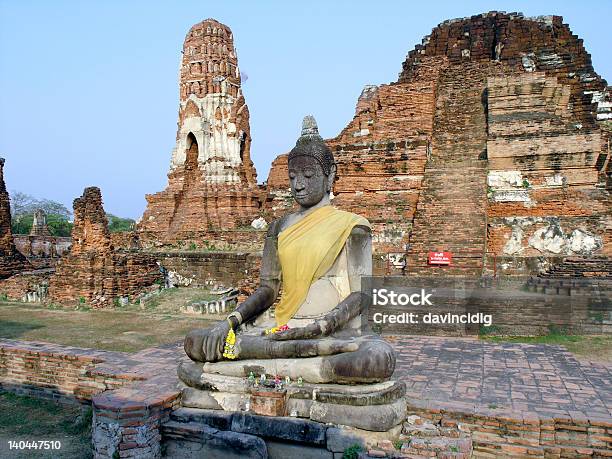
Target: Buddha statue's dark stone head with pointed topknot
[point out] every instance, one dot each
(312, 169)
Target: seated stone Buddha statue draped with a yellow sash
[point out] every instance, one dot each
(318, 255)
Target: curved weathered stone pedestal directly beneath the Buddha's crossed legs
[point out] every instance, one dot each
(373, 407)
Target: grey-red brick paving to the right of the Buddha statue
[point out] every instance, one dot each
(478, 376)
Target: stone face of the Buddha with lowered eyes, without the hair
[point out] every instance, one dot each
(309, 184)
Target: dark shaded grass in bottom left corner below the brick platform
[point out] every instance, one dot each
(28, 418)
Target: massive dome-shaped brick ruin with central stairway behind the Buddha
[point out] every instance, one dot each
(493, 144)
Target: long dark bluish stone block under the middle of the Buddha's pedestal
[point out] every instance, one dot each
(281, 428)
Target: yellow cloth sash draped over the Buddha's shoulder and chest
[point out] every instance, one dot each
(307, 250)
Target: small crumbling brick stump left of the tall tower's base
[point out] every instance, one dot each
(94, 271)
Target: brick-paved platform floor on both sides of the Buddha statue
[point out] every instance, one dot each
(468, 373)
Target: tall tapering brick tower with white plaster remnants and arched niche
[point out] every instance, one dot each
(212, 183)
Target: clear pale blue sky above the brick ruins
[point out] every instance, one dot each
(89, 91)
